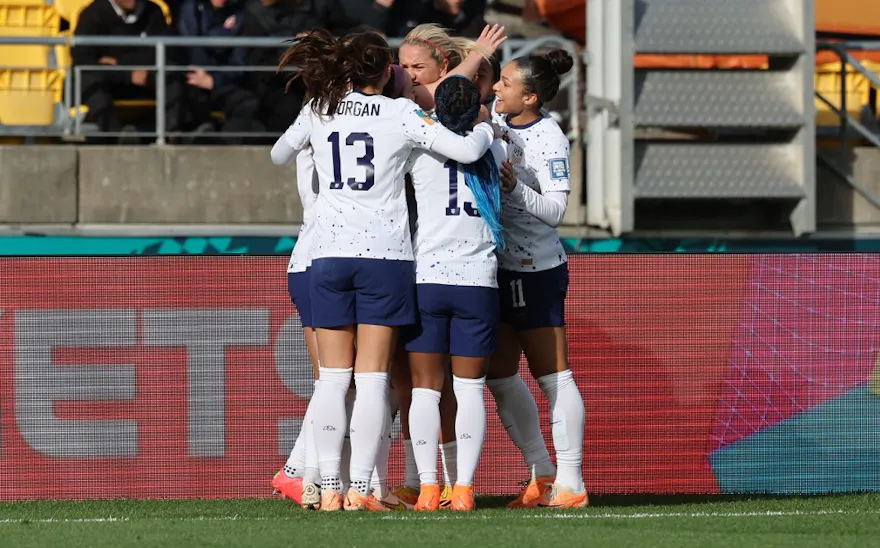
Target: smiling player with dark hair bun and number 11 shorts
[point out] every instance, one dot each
(533, 281)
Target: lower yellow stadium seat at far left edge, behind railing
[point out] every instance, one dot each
(28, 97)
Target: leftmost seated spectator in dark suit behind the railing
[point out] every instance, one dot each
(101, 88)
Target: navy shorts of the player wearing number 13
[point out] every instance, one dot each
(348, 291)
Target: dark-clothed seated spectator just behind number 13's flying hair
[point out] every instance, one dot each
(284, 19)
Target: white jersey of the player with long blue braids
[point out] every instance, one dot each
(452, 243)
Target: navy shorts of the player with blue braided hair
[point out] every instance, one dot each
(453, 319)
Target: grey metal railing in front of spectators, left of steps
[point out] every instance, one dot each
(71, 125)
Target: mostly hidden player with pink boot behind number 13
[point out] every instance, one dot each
(299, 480)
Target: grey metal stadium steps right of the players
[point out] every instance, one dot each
(709, 139)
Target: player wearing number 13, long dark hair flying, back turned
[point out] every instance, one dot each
(362, 276)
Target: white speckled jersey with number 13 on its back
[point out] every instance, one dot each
(359, 155)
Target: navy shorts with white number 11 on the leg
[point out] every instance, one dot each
(530, 300)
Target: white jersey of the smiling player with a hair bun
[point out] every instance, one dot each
(539, 153)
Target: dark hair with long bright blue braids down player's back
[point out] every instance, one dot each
(457, 101)
